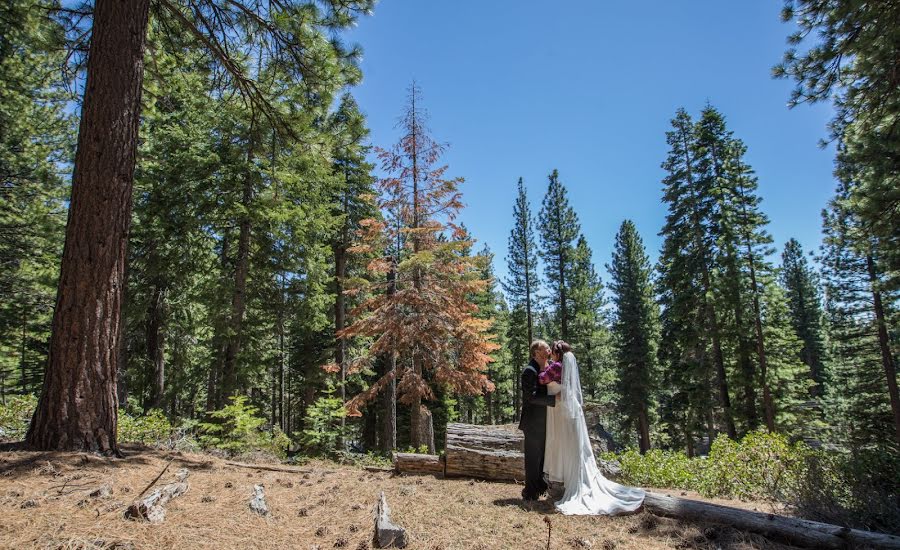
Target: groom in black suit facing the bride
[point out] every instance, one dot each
(534, 420)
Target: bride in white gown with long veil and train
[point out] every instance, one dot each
(569, 458)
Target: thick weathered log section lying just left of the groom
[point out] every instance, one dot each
(486, 452)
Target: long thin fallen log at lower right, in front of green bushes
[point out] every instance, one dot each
(811, 534)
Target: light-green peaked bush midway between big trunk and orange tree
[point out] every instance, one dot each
(236, 429)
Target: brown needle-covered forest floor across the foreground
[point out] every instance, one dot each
(45, 503)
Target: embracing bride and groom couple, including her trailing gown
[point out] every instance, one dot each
(556, 438)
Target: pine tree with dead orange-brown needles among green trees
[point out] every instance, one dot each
(428, 322)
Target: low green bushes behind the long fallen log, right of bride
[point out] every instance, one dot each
(860, 489)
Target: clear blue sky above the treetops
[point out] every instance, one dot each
(518, 88)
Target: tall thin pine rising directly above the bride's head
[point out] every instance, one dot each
(559, 227)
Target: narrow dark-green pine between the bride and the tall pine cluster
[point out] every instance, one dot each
(635, 330)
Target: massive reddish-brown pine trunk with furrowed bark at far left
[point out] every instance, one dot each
(77, 409)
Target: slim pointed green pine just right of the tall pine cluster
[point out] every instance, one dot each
(800, 284)
